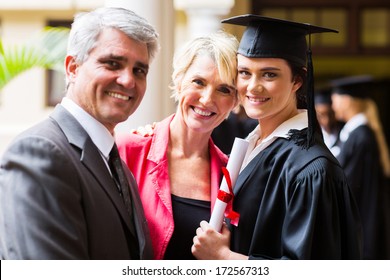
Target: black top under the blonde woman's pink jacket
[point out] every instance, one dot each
(187, 214)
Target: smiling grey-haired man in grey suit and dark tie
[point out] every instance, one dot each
(58, 199)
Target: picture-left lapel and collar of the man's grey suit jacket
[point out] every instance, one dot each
(90, 157)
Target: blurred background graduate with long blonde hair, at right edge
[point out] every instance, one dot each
(364, 156)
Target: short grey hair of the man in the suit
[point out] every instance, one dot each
(87, 26)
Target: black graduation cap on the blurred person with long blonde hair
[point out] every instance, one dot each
(355, 86)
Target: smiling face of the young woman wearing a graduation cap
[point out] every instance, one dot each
(267, 89)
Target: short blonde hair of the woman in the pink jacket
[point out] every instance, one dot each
(220, 46)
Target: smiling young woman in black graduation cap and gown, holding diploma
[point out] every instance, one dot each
(292, 195)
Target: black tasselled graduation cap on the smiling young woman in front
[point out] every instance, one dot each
(276, 38)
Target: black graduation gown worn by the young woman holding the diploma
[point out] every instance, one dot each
(295, 204)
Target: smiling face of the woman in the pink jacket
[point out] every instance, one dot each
(204, 99)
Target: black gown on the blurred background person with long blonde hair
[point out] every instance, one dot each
(360, 159)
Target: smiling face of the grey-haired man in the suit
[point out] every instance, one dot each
(111, 83)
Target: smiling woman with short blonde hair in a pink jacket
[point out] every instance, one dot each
(178, 167)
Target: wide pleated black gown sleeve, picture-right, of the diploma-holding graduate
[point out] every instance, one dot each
(320, 213)
